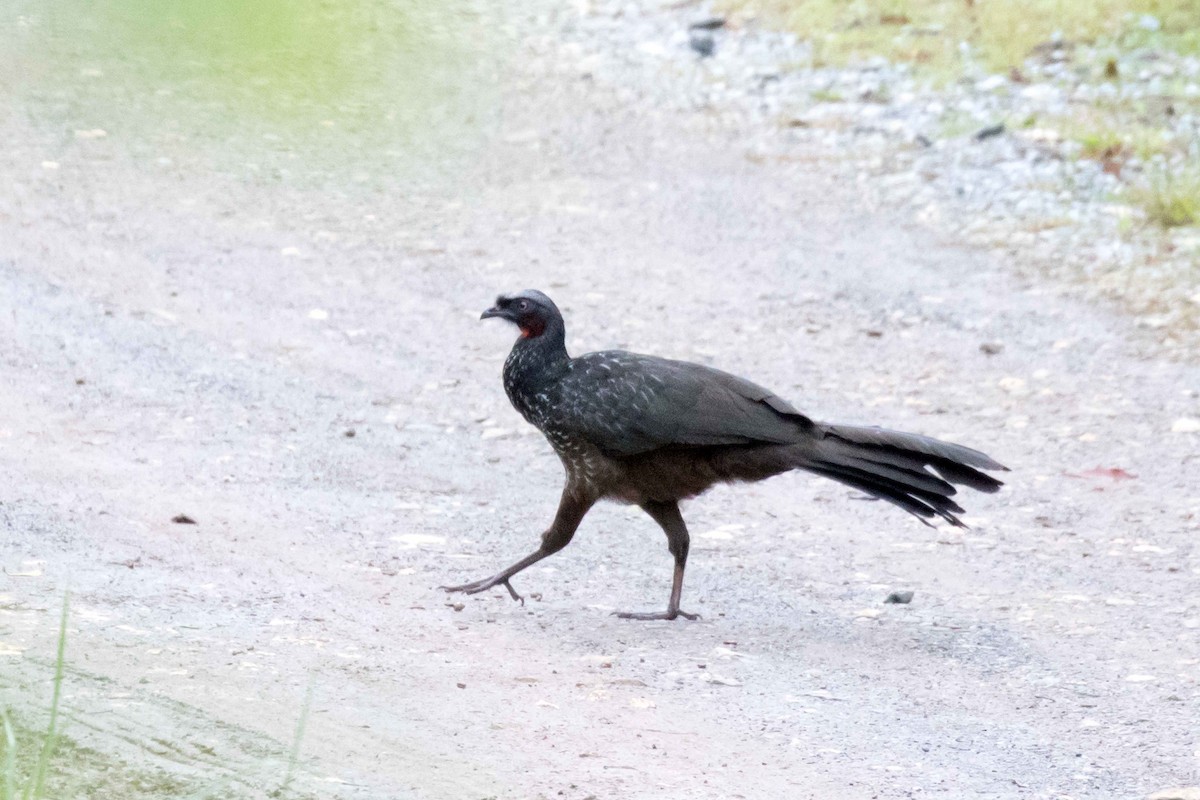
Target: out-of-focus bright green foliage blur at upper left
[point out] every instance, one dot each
(283, 55)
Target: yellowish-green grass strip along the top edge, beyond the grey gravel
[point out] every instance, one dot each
(1001, 34)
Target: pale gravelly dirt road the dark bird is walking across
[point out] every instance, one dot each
(203, 344)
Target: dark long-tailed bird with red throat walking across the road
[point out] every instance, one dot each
(637, 429)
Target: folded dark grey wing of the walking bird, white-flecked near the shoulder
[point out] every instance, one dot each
(627, 405)
